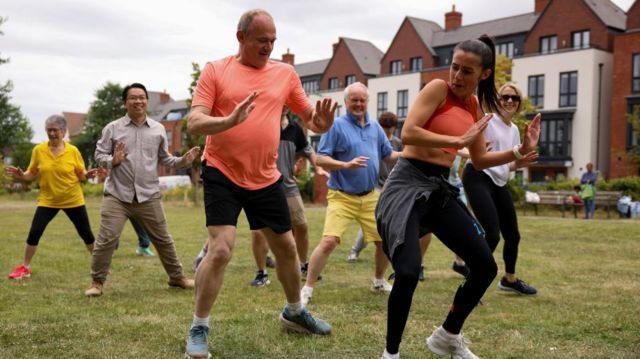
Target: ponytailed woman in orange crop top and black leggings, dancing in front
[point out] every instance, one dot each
(445, 117)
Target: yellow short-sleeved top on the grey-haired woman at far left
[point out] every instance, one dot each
(59, 181)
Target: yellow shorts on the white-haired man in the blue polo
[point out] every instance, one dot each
(343, 208)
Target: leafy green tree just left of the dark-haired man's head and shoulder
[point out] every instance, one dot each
(105, 108)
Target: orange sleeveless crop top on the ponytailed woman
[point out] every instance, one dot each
(454, 118)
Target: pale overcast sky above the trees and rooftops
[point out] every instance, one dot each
(61, 52)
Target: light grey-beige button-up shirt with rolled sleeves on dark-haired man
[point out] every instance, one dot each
(146, 147)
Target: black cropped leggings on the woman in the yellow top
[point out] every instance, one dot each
(44, 215)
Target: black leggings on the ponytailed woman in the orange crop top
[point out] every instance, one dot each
(456, 229)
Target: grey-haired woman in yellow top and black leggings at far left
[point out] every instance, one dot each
(60, 168)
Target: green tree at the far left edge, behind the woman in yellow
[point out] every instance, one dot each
(15, 130)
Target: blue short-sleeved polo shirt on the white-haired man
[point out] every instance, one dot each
(347, 140)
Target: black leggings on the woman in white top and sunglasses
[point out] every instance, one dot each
(493, 207)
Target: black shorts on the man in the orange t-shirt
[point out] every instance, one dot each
(223, 200)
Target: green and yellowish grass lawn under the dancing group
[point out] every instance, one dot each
(587, 274)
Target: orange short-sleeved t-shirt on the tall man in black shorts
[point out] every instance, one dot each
(246, 153)
